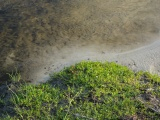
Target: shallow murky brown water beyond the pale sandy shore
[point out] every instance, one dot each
(32, 29)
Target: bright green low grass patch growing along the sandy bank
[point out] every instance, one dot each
(85, 91)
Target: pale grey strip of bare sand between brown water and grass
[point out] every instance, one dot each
(145, 58)
